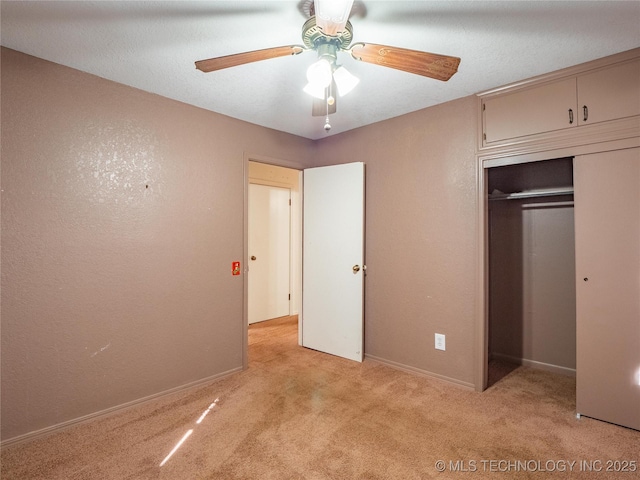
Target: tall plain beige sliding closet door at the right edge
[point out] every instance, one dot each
(607, 228)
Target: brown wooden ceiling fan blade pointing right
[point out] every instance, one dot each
(432, 65)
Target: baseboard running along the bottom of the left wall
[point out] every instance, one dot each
(27, 437)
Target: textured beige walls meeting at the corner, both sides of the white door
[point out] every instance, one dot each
(122, 212)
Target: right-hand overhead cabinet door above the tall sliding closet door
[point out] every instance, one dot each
(609, 94)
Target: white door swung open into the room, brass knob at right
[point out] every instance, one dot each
(333, 260)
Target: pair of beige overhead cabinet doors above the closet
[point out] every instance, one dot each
(602, 95)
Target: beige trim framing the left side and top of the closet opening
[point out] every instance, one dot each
(534, 152)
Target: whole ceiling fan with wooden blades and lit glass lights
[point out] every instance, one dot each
(328, 31)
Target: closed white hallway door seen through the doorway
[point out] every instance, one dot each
(269, 253)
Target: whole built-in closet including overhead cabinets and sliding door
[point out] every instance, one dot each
(559, 160)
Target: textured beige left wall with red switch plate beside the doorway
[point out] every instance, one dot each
(121, 214)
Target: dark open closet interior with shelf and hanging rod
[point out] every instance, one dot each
(531, 269)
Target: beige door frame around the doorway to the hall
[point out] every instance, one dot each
(276, 162)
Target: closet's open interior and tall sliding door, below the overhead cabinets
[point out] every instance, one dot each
(564, 275)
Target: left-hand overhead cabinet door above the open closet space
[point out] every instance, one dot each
(526, 112)
